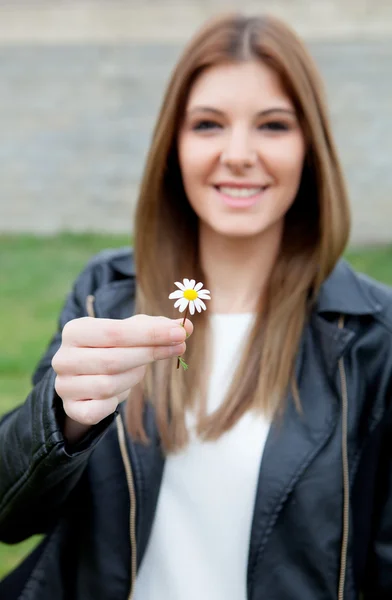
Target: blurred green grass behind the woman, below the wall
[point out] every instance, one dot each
(35, 275)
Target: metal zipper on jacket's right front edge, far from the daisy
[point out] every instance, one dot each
(346, 476)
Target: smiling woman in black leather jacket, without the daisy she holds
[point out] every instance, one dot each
(263, 471)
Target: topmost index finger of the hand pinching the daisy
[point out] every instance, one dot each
(139, 330)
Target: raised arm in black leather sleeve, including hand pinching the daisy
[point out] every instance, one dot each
(95, 362)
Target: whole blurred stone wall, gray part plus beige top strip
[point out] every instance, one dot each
(80, 85)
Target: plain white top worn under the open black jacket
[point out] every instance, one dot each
(200, 536)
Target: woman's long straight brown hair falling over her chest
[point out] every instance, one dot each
(166, 237)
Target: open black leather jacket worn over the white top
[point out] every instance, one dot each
(83, 500)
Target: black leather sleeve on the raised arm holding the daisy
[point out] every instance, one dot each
(37, 470)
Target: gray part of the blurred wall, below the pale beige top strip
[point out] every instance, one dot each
(76, 118)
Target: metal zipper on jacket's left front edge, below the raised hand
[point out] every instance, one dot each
(128, 473)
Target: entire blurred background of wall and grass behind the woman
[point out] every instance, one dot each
(80, 85)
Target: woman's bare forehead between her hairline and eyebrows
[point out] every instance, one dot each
(249, 83)
